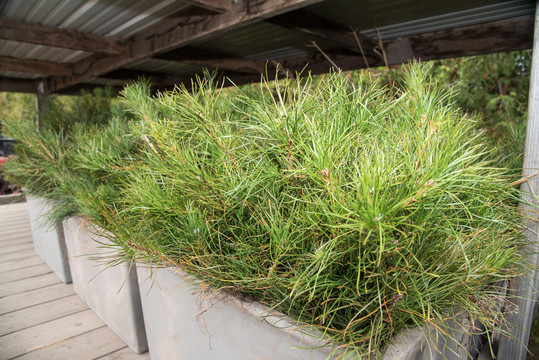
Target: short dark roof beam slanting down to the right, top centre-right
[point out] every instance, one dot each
(319, 27)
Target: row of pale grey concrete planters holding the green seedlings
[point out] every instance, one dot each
(183, 321)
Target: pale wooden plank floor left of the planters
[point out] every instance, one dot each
(41, 317)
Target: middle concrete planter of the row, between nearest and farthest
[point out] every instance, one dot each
(111, 292)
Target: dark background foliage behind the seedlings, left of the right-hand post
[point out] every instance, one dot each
(494, 88)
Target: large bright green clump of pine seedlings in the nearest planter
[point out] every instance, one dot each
(362, 211)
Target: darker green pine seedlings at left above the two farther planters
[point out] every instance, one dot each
(76, 156)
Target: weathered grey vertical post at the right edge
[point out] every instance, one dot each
(525, 288)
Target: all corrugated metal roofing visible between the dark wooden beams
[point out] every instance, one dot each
(259, 41)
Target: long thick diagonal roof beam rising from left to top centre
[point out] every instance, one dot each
(159, 39)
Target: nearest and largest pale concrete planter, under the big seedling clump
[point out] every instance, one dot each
(183, 322)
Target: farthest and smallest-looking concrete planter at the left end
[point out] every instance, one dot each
(49, 241)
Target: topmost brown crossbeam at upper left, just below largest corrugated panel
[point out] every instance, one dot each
(52, 36)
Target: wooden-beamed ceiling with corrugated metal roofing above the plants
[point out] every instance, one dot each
(61, 46)
